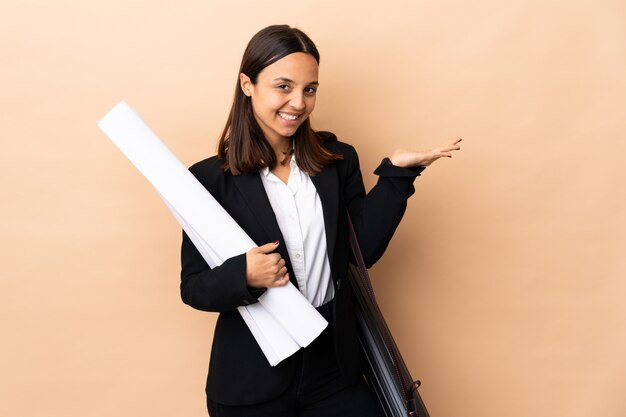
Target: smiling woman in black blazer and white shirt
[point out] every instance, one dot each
(288, 187)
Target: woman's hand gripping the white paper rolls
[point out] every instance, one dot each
(265, 269)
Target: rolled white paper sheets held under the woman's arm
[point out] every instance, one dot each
(283, 320)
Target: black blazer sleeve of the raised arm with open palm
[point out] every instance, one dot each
(377, 214)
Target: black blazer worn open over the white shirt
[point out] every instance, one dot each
(239, 373)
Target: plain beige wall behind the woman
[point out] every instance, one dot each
(504, 285)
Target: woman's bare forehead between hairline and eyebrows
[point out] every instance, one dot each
(299, 67)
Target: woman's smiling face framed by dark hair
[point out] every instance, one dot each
(284, 95)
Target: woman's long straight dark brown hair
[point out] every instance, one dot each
(242, 144)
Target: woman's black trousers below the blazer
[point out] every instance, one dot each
(317, 390)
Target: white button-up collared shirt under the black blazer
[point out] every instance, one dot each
(298, 211)
